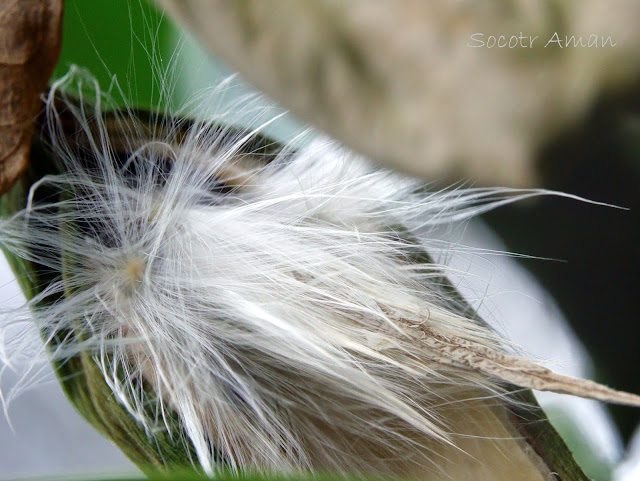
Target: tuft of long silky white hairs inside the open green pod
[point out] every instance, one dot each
(287, 310)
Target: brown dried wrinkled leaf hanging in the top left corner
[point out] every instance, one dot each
(30, 32)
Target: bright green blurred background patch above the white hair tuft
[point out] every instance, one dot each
(154, 63)
